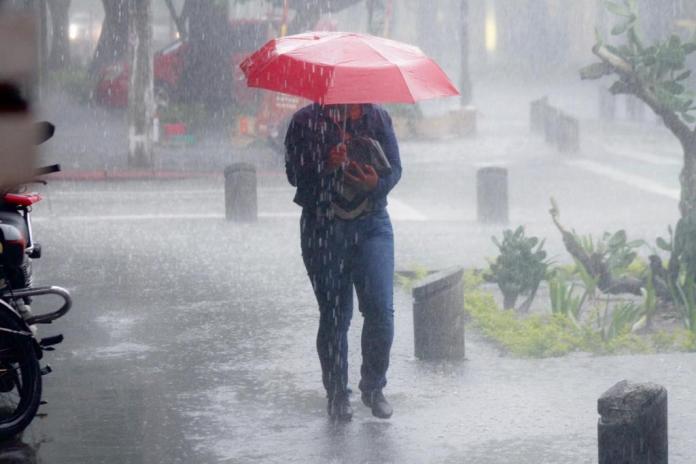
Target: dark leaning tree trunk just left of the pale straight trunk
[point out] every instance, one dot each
(113, 41)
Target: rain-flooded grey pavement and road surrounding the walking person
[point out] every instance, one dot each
(192, 339)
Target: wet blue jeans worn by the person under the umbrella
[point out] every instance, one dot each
(340, 255)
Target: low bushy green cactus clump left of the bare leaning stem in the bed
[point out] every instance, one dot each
(520, 267)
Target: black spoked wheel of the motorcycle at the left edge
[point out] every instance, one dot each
(20, 378)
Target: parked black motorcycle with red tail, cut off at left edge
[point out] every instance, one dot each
(20, 349)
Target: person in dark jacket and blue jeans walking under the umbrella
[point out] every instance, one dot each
(347, 239)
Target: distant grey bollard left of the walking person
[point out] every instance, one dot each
(240, 193)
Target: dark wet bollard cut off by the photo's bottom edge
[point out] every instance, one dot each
(632, 428)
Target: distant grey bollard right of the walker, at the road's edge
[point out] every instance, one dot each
(492, 195)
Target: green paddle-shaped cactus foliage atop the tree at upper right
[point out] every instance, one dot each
(659, 67)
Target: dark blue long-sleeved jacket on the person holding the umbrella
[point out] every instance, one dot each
(310, 137)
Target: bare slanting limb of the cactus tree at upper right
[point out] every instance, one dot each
(638, 88)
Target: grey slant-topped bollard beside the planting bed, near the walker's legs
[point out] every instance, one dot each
(438, 315)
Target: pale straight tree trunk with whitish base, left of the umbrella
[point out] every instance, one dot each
(141, 103)
